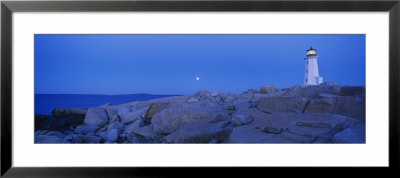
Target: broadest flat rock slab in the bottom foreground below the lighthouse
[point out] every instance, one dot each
(287, 127)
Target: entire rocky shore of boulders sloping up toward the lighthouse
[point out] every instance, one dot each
(326, 113)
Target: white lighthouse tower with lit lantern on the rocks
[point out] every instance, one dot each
(311, 75)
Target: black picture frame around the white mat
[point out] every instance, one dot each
(8, 7)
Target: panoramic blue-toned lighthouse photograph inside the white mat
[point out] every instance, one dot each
(199, 89)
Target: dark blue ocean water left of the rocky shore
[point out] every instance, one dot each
(45, 103)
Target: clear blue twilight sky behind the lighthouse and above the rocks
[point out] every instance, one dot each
(169, 64)
